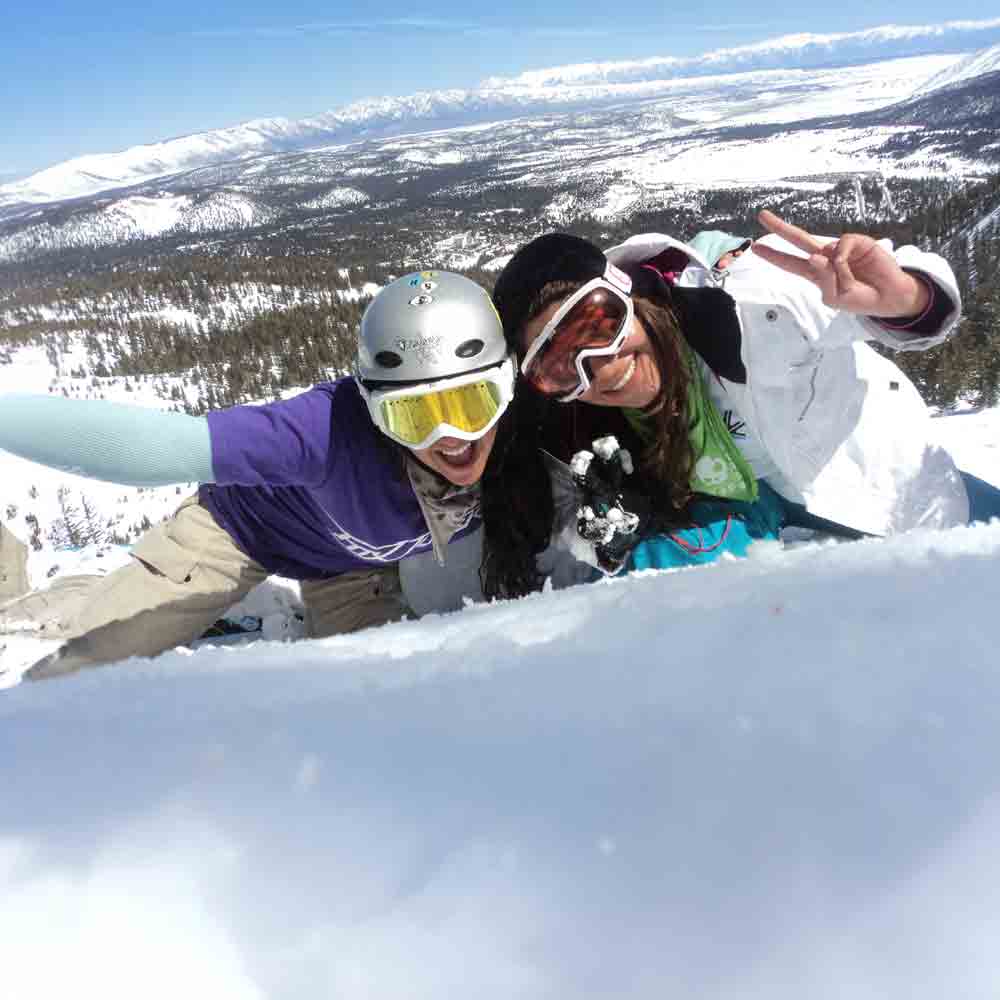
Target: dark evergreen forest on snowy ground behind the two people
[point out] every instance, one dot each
(257, 314)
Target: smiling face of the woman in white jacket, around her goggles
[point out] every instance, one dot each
(631, 378)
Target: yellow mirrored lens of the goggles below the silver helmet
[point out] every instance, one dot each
(469, 408)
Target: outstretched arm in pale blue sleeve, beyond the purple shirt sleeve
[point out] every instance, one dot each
(132, 445)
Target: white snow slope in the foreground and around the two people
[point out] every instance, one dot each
(773, 777)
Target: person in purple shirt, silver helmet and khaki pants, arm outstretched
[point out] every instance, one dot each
(332, 487)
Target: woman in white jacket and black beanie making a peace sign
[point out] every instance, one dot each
(758, 374)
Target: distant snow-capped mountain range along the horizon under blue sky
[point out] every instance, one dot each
(496, 99)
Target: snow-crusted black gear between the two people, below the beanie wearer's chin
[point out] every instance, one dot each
(611, 518)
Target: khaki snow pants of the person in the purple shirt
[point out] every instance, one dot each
(185, 573)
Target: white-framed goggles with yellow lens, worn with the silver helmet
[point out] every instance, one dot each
(417, 416)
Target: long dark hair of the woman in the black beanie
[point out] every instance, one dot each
(516, 494)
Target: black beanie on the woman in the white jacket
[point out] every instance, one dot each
(553, 257)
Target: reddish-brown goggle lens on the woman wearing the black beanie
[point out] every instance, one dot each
(593, 322)
